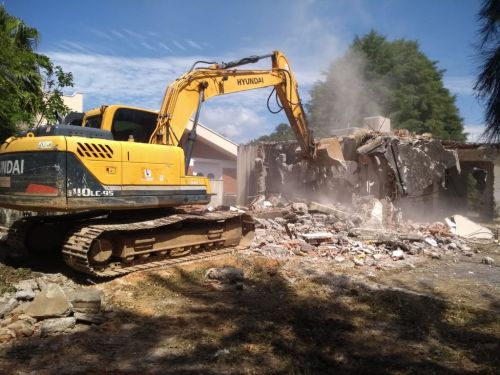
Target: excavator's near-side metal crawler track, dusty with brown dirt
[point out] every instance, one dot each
(80, 239)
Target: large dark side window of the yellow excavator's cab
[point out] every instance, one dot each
(129, 123)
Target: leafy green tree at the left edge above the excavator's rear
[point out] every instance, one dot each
(30, 85)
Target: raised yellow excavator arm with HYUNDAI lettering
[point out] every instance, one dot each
(185, 96)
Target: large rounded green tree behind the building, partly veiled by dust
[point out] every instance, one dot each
(388, 78)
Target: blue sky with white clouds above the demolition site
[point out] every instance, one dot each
(129, 51)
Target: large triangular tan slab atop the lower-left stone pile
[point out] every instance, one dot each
(49, 303)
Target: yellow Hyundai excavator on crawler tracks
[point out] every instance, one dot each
(118, 182)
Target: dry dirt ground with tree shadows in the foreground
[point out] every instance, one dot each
(435, 317)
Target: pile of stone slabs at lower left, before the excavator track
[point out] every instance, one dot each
(42, 307)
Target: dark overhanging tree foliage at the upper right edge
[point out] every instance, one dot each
(488, 82)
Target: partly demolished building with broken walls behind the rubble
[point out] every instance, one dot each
(424, 177)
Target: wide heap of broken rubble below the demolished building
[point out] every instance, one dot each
(371, 233)
